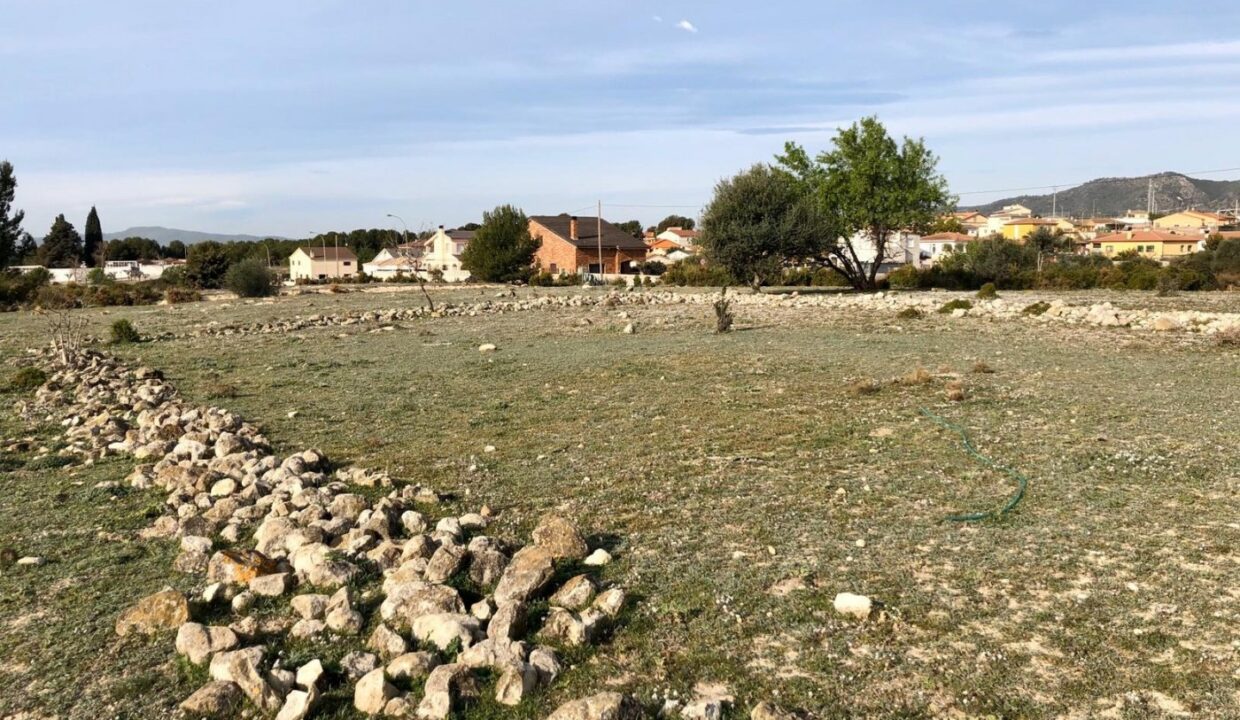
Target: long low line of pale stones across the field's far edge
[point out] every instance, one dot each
(1098, 315)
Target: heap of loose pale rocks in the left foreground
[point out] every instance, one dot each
(256, 526)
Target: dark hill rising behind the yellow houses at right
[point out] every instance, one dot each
(1115, 196)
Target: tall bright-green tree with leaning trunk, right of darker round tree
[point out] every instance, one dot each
(874, 188)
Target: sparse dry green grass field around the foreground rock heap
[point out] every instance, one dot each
(742, 484)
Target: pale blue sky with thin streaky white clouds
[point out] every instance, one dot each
(292, 117)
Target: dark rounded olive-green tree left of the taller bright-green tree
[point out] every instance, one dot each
(756, 224)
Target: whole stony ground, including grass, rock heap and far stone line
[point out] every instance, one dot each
(757, 531)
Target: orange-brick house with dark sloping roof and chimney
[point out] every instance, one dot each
(572, 245)
